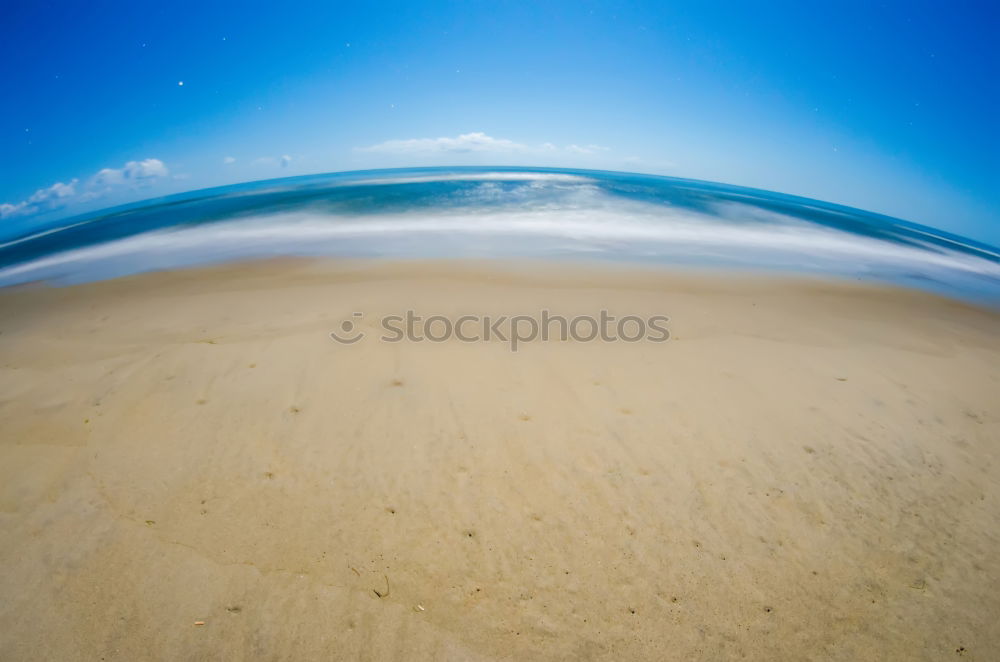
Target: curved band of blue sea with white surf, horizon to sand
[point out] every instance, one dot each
(504, 212)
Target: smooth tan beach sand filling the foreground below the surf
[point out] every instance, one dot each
(192, 469)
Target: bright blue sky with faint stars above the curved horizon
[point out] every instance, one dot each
(891, 107)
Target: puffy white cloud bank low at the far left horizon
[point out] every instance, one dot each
(133, 174)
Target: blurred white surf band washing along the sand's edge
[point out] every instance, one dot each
(617, 229)
